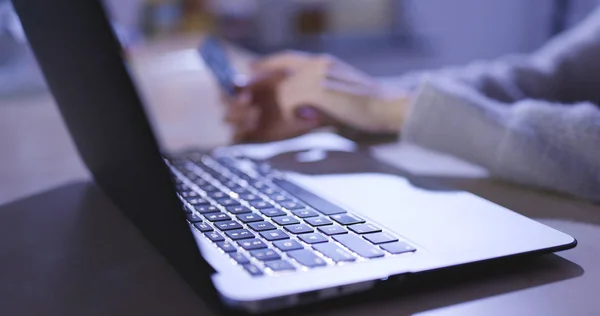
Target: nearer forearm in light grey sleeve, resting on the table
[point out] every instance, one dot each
(532, 142)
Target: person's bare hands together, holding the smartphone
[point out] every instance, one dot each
(291, 93)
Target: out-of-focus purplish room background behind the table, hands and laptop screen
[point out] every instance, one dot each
(382, 37)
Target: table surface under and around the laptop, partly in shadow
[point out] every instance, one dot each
(69, 252)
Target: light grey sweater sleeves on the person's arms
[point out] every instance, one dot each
(528, 119)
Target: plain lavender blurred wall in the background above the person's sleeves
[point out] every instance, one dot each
(462, 30)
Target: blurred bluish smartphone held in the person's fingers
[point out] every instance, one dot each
(215, 57)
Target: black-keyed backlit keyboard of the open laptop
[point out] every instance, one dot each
(265, 228)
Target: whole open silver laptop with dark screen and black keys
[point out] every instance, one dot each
(241, 232)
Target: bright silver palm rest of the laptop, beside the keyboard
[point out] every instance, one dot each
(455, 223)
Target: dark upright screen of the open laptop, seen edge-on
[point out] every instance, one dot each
(81, 60)
